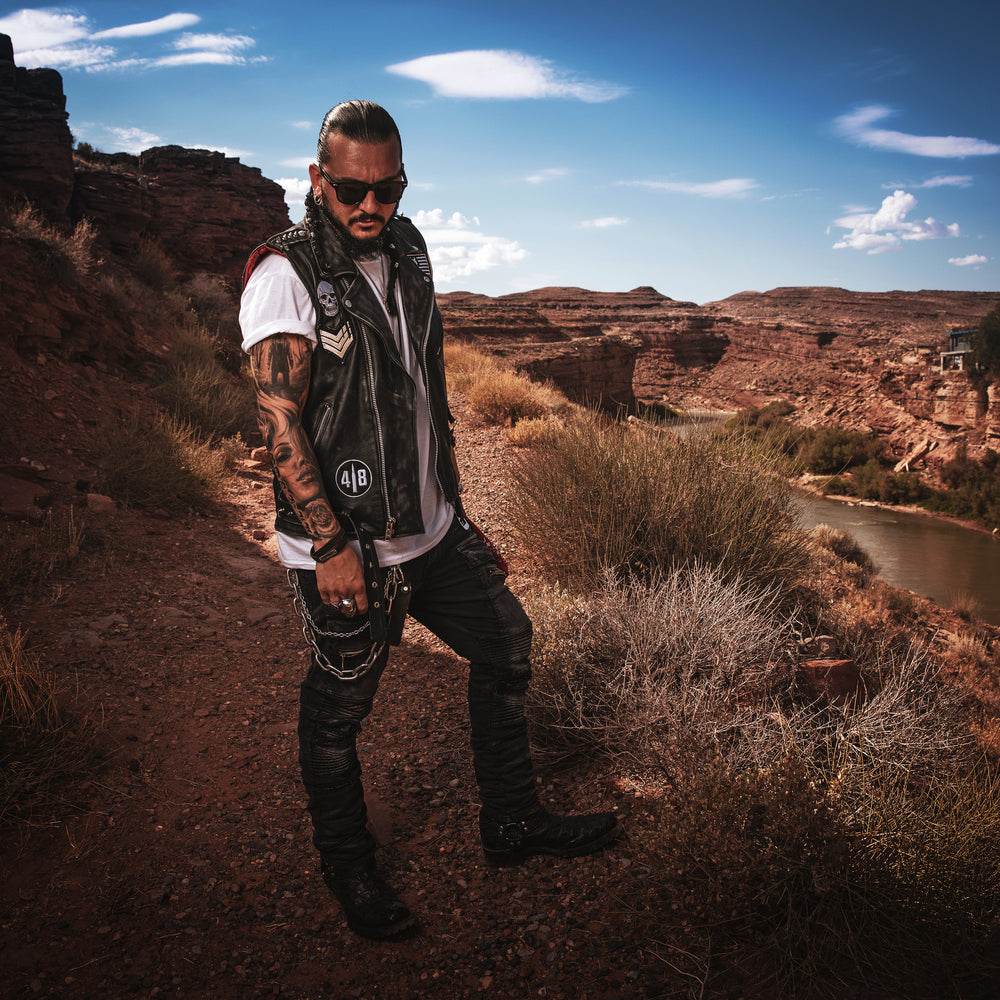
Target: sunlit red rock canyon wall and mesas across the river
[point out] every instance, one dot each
(868, 361)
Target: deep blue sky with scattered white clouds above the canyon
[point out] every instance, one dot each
(701, 148)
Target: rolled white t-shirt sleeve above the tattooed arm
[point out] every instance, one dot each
(275, 301)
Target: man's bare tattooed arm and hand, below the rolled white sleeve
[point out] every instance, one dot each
(281, 368)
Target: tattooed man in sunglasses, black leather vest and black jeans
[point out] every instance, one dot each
(345, 340)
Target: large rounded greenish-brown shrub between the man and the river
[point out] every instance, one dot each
(650, 502)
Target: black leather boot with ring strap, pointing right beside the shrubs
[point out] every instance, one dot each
(508, 841)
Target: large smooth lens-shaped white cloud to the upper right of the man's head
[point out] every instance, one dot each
(499, 73)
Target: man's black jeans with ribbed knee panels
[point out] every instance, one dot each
(460, 594)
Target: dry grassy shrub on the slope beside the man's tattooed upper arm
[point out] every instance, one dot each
(196, 388)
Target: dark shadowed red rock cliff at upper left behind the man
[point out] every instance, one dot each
(207, 210)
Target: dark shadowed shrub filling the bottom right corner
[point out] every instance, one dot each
(810, 889)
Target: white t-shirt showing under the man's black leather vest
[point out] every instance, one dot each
(276, 301)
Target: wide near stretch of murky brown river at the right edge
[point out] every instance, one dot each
(924, 554)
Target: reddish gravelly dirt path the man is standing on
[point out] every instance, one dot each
(182, 867)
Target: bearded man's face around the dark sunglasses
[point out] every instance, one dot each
(365, 162)
